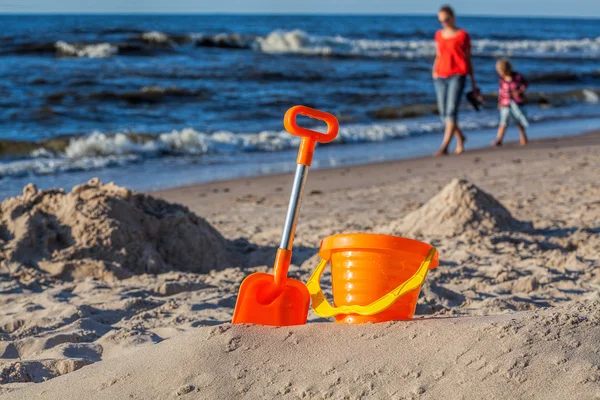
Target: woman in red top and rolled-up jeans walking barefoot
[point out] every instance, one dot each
(451, 66)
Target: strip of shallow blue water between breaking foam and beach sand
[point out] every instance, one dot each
(168, 172)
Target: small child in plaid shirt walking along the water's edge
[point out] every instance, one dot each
(511, 101)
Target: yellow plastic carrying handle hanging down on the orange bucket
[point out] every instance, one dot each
(323, 309)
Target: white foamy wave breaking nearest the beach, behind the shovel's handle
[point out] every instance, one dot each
(99, 150)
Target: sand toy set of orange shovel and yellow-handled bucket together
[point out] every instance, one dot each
(375, 278)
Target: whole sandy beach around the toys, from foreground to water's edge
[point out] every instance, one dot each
(518, 230)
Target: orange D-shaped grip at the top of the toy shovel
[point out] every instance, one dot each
(309, 137)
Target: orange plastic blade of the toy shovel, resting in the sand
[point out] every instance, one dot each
(290, 307)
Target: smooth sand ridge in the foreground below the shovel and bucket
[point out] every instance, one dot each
(544, 354)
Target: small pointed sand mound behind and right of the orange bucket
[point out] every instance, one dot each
(460, 207)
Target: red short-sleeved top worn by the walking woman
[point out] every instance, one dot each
(452, 54)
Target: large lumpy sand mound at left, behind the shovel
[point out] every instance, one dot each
(106, 231)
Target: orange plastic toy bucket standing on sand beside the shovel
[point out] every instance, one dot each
(366, 267)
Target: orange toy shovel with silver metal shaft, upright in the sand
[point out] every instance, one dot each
(277, 300)
